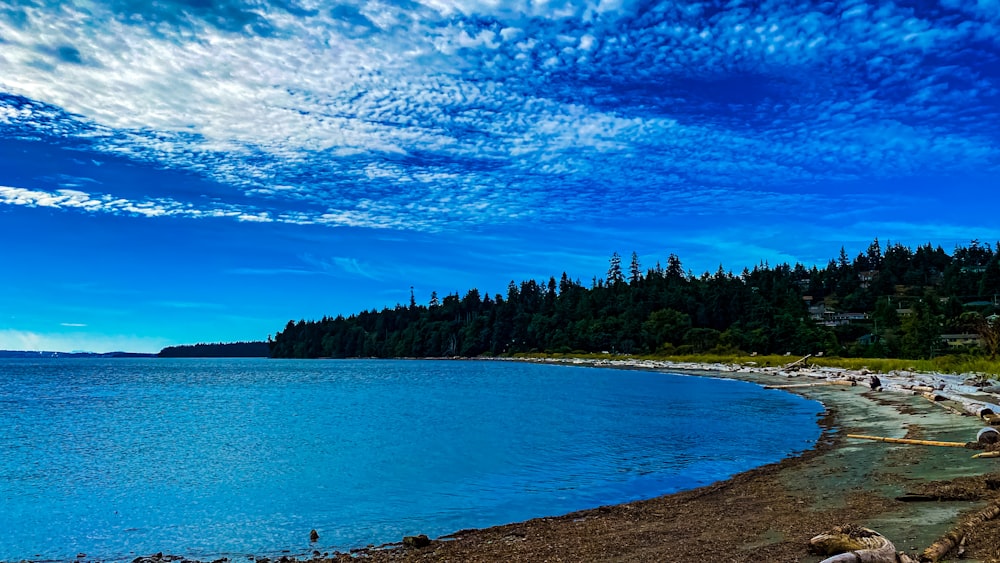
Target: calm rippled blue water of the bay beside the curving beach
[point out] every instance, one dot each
(115, 458)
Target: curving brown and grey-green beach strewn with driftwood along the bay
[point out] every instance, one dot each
(767, 513)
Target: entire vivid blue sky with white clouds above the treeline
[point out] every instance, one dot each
(205, 170)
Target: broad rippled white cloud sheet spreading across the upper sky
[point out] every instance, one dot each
(455, 113)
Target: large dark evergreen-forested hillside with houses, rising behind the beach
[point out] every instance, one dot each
(897, 302)
